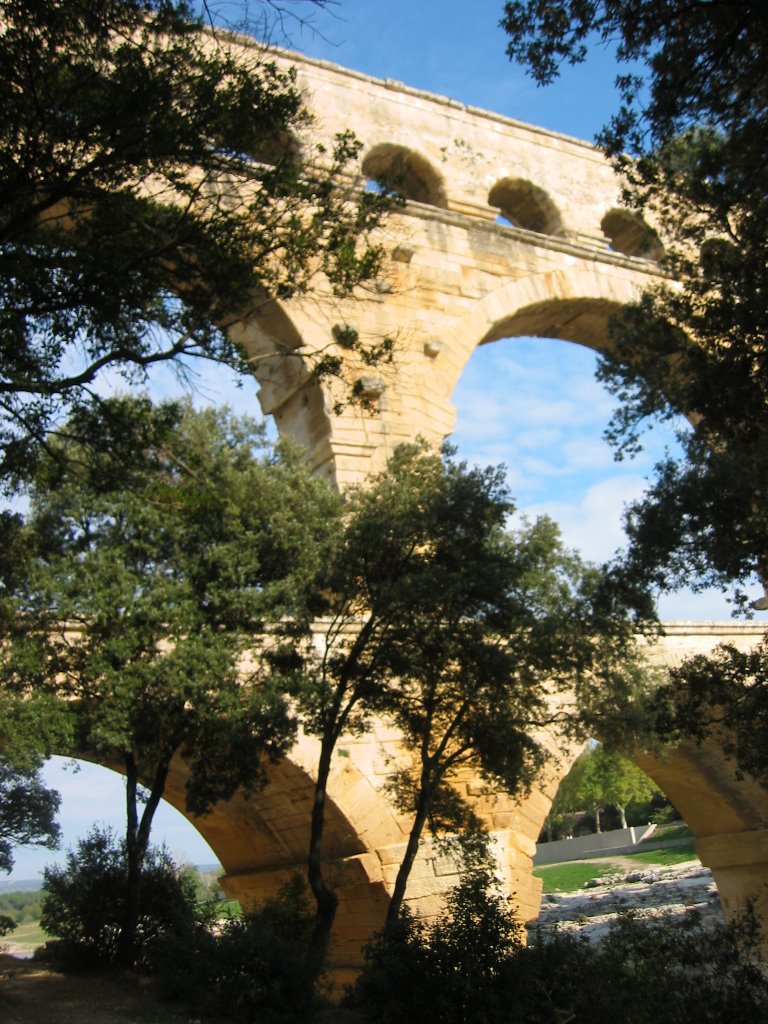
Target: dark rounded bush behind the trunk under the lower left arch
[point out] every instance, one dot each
(83, 903)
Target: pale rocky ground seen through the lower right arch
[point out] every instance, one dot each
(674, 890)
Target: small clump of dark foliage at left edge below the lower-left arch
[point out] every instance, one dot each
(28, 813)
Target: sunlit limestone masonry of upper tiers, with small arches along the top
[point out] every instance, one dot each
(510, 231)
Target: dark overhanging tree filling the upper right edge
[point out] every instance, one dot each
(691, 139)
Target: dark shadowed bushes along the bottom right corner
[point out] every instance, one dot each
(472, 967)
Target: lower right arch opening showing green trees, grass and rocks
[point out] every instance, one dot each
(612, 842)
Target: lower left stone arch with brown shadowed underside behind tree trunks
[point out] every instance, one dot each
(262, 840)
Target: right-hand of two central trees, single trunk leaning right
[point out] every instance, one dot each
(505, 623)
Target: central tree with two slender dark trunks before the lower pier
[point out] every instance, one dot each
(454, 630)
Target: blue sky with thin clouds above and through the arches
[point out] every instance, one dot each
(550, 439)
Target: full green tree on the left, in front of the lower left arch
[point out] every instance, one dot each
(156, 570)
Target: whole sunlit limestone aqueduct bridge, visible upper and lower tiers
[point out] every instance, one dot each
(567, 259)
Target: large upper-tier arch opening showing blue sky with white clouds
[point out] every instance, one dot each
(533, 403)
